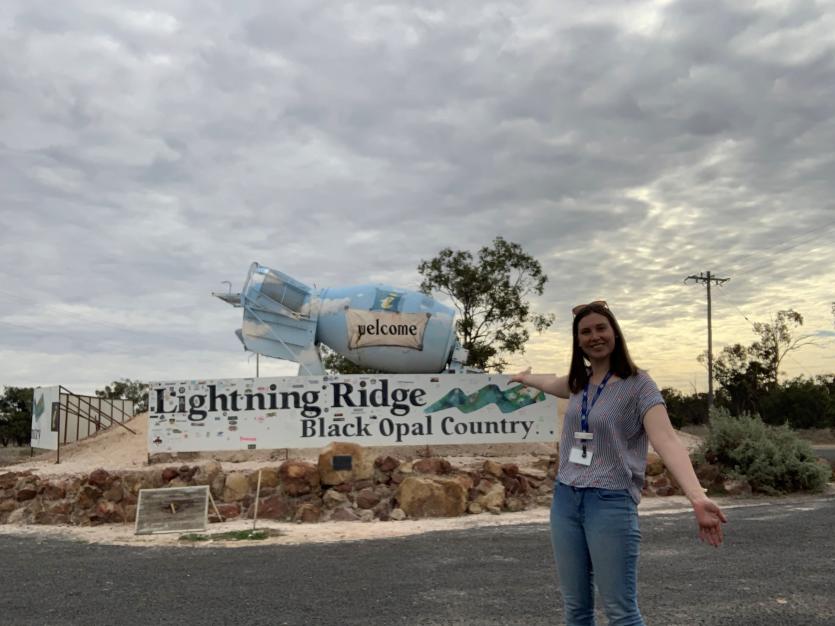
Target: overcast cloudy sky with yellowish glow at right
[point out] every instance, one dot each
(149, 151)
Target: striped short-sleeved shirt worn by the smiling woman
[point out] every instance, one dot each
(619, 446)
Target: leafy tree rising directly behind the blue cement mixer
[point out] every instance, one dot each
(491, 296)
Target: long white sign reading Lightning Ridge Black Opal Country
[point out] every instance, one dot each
(371, 410)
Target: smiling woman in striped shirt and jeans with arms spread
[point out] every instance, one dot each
(614, 410)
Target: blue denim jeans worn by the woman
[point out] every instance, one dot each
(596, 539)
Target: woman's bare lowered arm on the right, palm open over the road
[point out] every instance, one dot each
(663, 438)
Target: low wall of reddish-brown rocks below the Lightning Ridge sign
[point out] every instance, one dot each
(382, 488)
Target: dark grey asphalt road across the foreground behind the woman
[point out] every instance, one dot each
(777, 568)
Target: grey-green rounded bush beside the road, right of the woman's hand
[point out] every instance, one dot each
(773, 459)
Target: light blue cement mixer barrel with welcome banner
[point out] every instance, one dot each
(375, 326)
